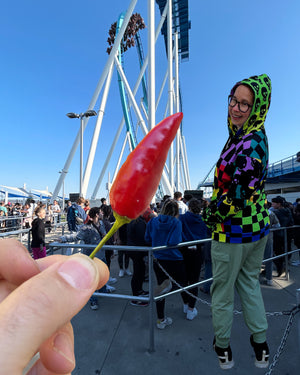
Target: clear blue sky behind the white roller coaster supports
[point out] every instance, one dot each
(53, 54)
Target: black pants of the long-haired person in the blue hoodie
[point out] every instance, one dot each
(176, 269)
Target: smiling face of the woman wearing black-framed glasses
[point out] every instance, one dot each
(242, 94)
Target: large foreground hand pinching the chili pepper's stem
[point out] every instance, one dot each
(37, 301)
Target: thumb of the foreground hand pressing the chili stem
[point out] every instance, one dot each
(43, 304)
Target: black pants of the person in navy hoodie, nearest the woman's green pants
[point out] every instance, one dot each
(193, 260)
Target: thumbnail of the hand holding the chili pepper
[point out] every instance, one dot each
(79, 271)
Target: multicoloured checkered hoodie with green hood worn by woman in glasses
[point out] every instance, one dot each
(238, 213)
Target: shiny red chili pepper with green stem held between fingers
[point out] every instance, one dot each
(138, 178)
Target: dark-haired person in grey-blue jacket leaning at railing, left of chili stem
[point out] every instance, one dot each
(91, 234)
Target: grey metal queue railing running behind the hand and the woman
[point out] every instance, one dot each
(56, 246)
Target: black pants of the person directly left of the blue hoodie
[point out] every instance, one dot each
(139, 268)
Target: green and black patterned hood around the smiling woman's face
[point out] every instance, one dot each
(261, 87)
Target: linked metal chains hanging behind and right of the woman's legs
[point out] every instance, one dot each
(291, 313)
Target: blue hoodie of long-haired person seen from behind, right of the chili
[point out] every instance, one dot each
(164, 230)
